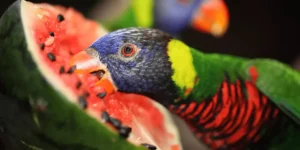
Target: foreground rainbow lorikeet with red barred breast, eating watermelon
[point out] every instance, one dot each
(229, 102)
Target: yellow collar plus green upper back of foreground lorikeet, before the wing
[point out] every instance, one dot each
(197, 75)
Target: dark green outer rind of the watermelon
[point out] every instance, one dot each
(62, 125)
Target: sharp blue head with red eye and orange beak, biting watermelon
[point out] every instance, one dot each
(132, 60)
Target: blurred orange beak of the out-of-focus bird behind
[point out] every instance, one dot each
(211, 17)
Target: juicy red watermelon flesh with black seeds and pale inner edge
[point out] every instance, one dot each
(54, 34)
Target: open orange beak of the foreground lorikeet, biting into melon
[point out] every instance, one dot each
(88, 61)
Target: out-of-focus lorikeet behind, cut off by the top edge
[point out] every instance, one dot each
(172, 16)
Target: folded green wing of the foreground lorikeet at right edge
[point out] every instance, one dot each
(280, 83)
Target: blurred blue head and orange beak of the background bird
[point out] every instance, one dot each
(208, 16)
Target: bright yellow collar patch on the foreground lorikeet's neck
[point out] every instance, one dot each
(184, 73)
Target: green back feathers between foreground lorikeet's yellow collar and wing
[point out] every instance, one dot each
(210, 70)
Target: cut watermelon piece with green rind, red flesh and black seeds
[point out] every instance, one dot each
(58, 108)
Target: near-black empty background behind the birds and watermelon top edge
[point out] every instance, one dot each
(258, 28)
